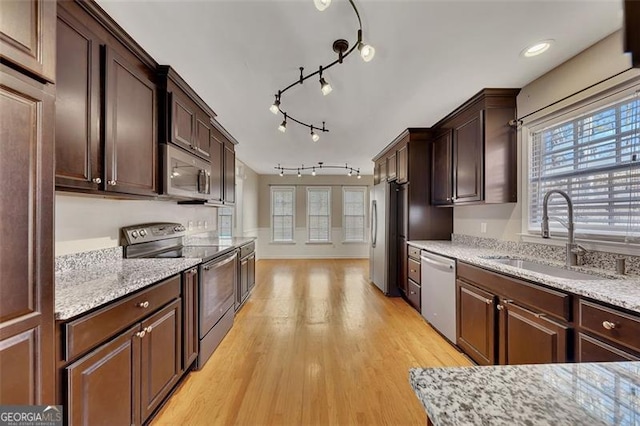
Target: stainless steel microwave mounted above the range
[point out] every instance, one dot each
(185, 175)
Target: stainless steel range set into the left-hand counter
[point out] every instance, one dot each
(217, 276)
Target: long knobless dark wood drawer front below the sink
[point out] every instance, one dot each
(534, 296)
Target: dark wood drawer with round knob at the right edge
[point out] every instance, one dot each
(609, 323)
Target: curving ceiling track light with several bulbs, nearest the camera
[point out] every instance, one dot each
(341, 47)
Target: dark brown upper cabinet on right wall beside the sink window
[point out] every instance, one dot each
(482, 156)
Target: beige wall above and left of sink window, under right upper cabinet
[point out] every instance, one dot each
(600, 61)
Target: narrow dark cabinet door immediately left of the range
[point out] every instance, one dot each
(190, 317)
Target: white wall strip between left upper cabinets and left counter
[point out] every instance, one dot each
(85, 223)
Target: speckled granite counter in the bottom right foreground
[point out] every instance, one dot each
(548, 394)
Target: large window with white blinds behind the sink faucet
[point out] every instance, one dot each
(595, 158)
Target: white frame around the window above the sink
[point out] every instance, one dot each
(569, 110)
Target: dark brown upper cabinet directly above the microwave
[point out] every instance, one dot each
(186, 117)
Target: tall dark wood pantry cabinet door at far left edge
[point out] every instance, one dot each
(26, 252)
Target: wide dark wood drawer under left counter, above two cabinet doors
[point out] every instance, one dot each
(92, 329)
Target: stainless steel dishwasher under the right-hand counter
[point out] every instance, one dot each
(438, 293)
